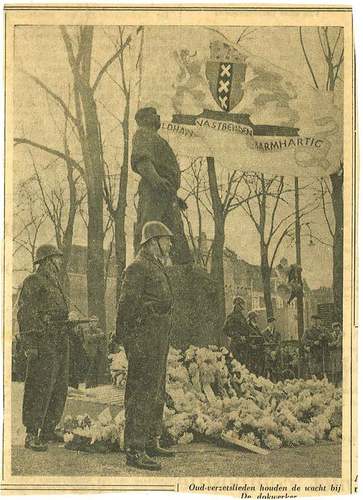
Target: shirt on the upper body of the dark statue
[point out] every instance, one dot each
(148, 145)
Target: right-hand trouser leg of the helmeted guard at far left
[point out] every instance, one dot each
(59, 393)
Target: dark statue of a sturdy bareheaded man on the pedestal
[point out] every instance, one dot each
(154, 160)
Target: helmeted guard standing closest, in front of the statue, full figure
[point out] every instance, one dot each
(143, 327)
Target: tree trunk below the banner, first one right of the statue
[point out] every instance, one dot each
(217, 267)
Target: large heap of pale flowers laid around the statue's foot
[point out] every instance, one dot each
(210, 396)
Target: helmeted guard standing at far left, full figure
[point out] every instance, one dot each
(42, 318)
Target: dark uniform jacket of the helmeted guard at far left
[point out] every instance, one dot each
(41, 295)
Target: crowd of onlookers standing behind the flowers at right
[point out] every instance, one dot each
(265, 353)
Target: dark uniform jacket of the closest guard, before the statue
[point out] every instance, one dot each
(145, 293)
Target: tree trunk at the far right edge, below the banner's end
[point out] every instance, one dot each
(337, 200)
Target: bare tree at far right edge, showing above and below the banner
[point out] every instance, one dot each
(330, 40)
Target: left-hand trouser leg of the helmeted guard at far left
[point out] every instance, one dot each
(39, 382)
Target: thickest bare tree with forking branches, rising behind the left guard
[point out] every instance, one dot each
(83, 117)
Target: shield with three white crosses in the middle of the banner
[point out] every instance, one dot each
(226, 72)
